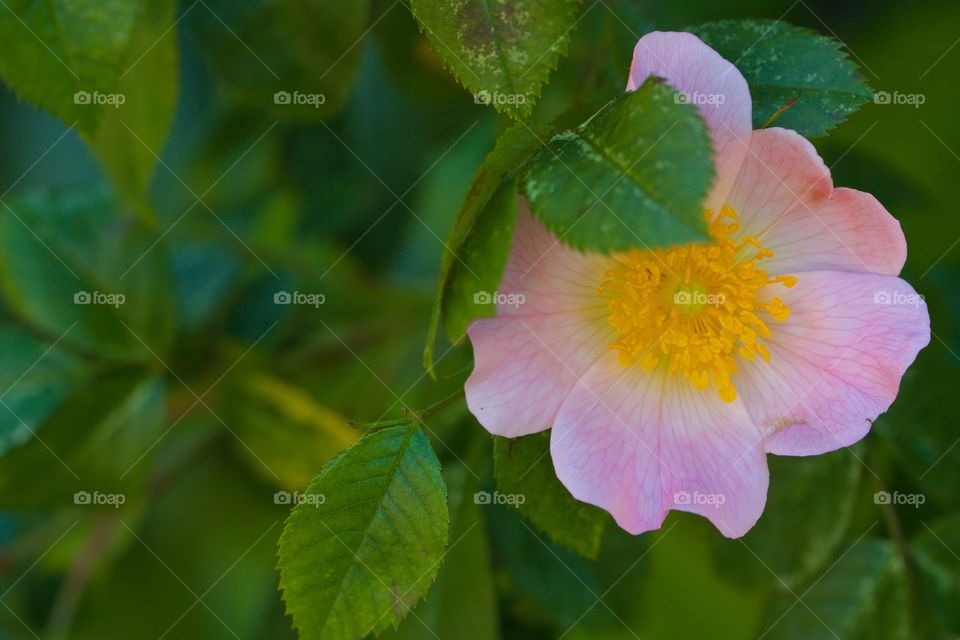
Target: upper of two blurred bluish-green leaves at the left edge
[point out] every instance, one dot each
(73, 269)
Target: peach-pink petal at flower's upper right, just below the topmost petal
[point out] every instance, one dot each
(784, 196)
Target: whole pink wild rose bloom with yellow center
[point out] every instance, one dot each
(668, 375)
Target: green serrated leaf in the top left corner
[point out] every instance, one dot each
(67, 55)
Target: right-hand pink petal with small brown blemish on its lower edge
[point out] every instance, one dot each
(836, 362)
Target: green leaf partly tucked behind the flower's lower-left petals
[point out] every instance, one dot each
(523, 467)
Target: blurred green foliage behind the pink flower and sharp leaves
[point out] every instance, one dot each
(201, 199)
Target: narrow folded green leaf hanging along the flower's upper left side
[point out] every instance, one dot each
(479, 243)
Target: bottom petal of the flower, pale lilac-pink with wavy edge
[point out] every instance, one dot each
(640, 444)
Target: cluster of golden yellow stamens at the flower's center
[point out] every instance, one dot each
(694, 308)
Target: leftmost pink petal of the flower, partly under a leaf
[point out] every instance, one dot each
(528, 357)
